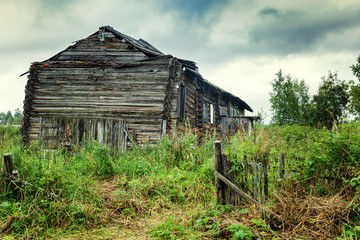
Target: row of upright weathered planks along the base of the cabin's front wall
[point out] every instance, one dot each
(113, 133)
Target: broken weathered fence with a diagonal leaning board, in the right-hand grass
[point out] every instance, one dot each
(232, 178)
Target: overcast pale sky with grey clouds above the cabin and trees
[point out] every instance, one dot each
(238, 45)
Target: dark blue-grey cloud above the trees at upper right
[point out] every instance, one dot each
(298, 31)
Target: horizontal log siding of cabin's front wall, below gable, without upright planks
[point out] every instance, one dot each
(134, 92)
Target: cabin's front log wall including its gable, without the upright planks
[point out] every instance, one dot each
(102, 80)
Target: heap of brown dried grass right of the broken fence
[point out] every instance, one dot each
(297, 213)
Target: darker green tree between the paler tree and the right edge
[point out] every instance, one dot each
(330, 103)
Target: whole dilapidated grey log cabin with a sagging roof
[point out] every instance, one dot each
(113, 88)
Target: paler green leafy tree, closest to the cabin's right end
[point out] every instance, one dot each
(289, 100)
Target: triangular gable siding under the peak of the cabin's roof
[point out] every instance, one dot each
(109, 50)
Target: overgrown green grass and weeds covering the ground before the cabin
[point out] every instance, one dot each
(176, 175)
